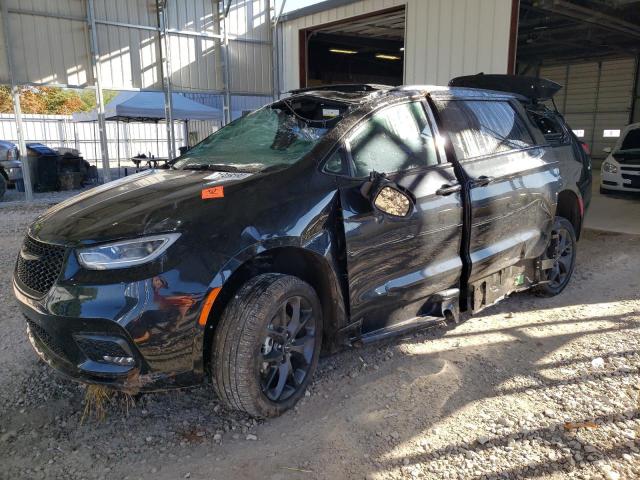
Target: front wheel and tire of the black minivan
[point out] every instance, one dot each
(267, 345)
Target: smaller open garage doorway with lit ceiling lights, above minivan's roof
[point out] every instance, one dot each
(362, 49)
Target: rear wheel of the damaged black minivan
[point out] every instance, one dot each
(562, 250)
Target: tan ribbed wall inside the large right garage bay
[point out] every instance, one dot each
(597, 96)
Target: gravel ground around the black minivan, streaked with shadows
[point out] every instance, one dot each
(530, 388)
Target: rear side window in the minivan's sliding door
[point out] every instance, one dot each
(479, 127)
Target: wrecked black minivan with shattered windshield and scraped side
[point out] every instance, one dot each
(336, 216)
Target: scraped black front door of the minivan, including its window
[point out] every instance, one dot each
(397, 264)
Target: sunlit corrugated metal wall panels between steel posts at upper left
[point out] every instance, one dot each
(50, 44)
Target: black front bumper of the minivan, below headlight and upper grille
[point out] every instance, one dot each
(159, 354)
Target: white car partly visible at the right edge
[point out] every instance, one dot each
(620, 171)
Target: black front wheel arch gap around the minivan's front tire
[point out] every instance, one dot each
(308, 266)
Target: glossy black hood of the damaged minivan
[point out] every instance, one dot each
(142, 204)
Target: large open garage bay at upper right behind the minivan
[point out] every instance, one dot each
(591, 47)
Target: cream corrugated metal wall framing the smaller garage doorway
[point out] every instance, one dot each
(443, 38)
